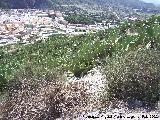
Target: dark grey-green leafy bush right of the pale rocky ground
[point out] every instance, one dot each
(134, 76)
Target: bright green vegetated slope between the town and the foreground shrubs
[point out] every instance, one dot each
(78, 54)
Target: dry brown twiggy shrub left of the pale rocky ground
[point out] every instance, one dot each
(34, 99)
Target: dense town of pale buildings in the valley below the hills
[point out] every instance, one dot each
(30, 25)
